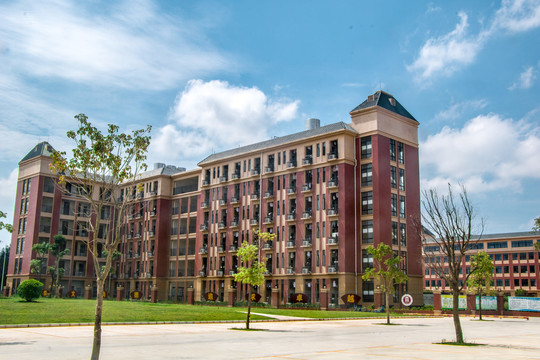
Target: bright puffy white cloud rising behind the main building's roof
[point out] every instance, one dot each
(215, 116)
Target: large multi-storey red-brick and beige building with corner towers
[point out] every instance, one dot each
(327, 193)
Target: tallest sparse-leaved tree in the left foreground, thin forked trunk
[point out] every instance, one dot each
(100, 166)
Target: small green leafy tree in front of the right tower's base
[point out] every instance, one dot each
(386, 272)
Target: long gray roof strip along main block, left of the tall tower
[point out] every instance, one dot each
(278, 141)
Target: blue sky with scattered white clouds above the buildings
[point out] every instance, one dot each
(209, 76)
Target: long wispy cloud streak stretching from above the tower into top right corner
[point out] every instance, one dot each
(443, 55)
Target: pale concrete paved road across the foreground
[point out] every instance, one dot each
(347, 339)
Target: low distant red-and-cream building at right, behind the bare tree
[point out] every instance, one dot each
(514, 258)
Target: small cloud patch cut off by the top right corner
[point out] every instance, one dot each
(518, 15)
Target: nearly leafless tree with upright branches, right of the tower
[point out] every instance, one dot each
(452, 220)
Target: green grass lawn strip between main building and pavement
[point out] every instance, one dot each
(45, 311)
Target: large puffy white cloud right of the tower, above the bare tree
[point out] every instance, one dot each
(489, 153)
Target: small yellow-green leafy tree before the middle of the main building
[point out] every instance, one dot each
(252, 273)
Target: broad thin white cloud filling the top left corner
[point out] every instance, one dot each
(130, 45)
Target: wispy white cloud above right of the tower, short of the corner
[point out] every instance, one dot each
(445, 54)
